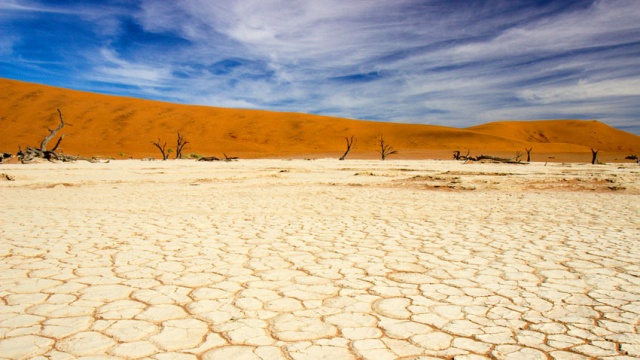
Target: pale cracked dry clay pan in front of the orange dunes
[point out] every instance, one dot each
(276, 259)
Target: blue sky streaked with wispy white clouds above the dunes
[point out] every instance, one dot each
(445, 62)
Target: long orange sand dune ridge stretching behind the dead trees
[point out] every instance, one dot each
(114, 126)
